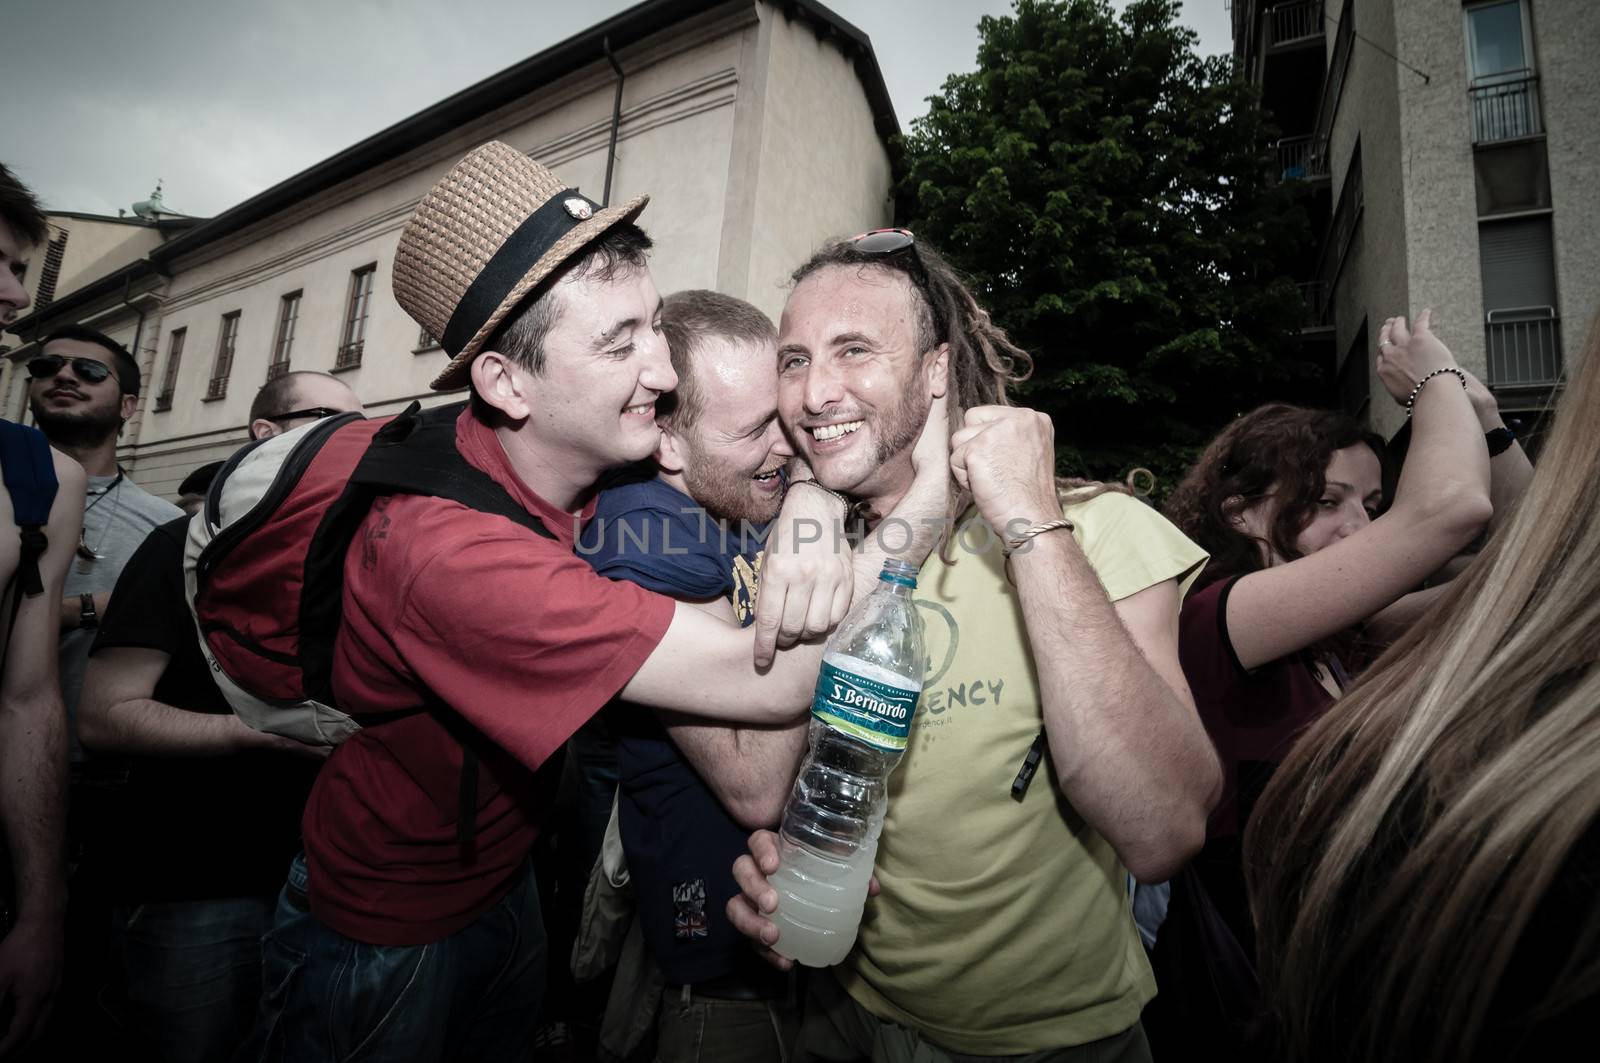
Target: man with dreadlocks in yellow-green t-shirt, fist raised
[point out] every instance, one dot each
(1052, 625)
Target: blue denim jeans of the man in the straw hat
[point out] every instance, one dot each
(470, 997)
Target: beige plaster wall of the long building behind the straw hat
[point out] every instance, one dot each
(753, 137)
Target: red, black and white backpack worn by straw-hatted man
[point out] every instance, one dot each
(265, 561)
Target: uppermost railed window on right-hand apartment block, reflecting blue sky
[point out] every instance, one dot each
(1505, 87)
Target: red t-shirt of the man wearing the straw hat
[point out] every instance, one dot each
(516, 635)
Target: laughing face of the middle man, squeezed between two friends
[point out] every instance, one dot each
(732, 451)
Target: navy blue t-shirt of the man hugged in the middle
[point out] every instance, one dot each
(679, 840)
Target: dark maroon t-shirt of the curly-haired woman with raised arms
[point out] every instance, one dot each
(1254, 718)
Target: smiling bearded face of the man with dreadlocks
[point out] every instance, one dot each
(854, 387)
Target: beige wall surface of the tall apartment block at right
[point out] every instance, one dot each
(1417, 244)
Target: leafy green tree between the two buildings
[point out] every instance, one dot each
(1113, 198)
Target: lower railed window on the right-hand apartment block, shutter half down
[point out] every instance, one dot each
(1521, 321)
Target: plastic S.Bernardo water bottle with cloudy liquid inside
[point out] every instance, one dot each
(862, 715)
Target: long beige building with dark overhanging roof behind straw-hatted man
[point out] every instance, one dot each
(759, 127)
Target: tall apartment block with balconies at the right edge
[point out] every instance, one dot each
(1447, 156)
